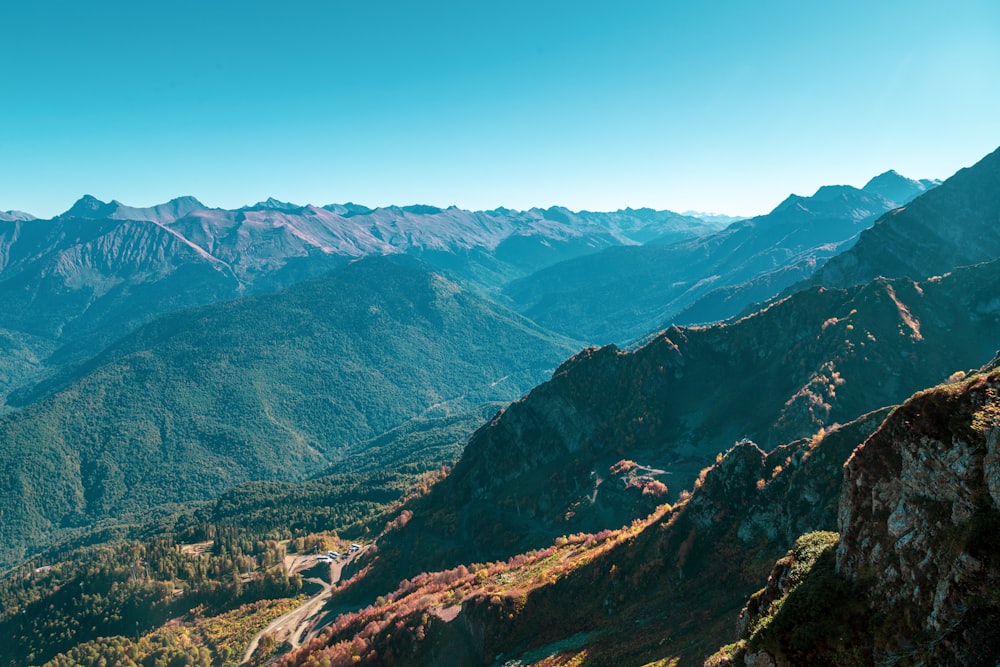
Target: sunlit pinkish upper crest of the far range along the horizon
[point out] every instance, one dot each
(354, 230)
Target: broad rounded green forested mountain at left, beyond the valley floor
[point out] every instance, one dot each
(281, 386)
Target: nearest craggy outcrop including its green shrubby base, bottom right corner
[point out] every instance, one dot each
(914, 578)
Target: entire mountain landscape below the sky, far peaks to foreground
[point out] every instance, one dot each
(564, 438)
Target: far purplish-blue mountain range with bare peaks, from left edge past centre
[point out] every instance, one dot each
(77, 282)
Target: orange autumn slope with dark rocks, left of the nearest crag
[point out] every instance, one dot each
(664, 588)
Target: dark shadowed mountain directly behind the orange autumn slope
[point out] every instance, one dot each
(545, 466)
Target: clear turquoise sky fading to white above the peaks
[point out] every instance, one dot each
(714, 105)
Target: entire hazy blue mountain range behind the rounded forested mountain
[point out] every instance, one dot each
(74, 284)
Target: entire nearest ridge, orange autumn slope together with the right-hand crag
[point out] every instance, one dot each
(925, 522)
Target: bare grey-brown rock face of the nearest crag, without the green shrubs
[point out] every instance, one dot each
(920, 521)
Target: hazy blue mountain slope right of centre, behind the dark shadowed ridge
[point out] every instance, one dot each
(624, 293)
